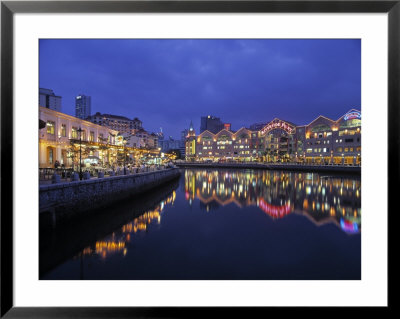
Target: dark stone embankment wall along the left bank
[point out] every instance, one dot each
(64, 200)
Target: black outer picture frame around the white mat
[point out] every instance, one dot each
(9, 8)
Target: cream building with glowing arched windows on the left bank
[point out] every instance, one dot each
(59, 140)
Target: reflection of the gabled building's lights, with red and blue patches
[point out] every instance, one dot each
(321, 198)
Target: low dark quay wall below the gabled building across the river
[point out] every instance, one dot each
(338, 169)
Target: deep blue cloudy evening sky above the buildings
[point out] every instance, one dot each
(167, 83)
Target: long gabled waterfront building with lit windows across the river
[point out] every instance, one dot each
(323, 141)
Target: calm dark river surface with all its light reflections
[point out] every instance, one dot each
(218, 224)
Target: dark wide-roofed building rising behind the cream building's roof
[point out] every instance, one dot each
(116, 122)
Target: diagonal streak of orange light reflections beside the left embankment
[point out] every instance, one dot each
(117, 242)
